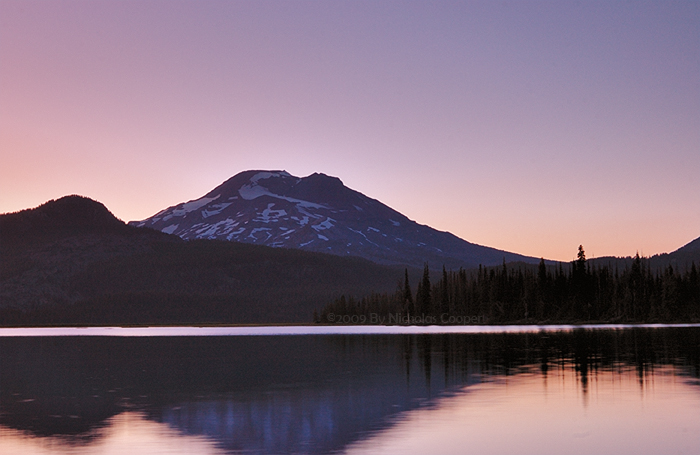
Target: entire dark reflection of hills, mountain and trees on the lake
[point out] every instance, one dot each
(309, 394)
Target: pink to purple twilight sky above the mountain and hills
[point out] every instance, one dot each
(527, 126)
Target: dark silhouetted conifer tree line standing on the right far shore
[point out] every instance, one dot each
(581, 291)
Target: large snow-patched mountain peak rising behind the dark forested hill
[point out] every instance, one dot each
(318, 213)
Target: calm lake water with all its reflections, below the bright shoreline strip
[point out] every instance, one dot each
(617, 391)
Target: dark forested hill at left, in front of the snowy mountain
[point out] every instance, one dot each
(71, 261)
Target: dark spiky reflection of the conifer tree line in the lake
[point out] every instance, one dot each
(459, 359)
